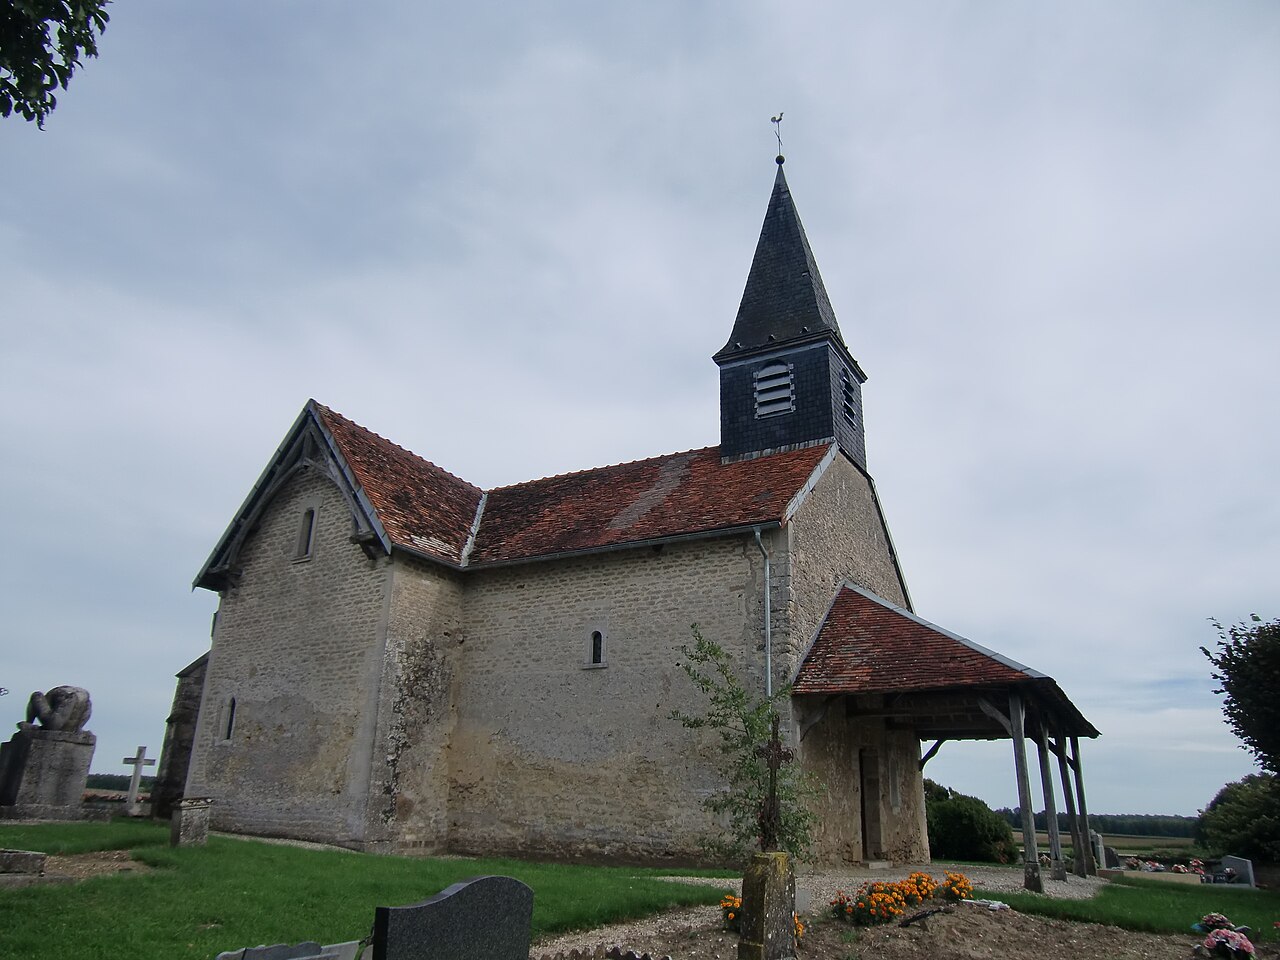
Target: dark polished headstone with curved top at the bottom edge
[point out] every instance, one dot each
(484, 918)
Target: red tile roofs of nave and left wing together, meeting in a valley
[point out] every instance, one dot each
(428, 510)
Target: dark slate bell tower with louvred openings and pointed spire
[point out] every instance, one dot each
(787, 377)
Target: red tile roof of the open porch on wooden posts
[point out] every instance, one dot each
(867, 644)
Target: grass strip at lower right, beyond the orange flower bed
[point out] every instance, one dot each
(1149, 906)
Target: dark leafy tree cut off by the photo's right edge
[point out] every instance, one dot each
(1247, 665)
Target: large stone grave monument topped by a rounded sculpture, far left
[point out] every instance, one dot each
(44, 769)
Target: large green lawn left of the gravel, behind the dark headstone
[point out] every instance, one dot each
(235, 894)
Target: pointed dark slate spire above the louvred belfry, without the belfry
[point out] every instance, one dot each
(784, 299)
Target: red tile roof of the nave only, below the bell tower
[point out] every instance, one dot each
(673, 496)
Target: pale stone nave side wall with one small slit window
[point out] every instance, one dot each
(552, 756)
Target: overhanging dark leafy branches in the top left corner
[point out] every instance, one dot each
(42, 44)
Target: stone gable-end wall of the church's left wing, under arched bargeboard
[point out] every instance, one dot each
(299, 647)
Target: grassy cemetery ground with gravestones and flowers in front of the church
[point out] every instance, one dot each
(70, 879)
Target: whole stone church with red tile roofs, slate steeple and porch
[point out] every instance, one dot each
(405, 662)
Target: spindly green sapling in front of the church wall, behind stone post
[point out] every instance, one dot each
(744, 725)
